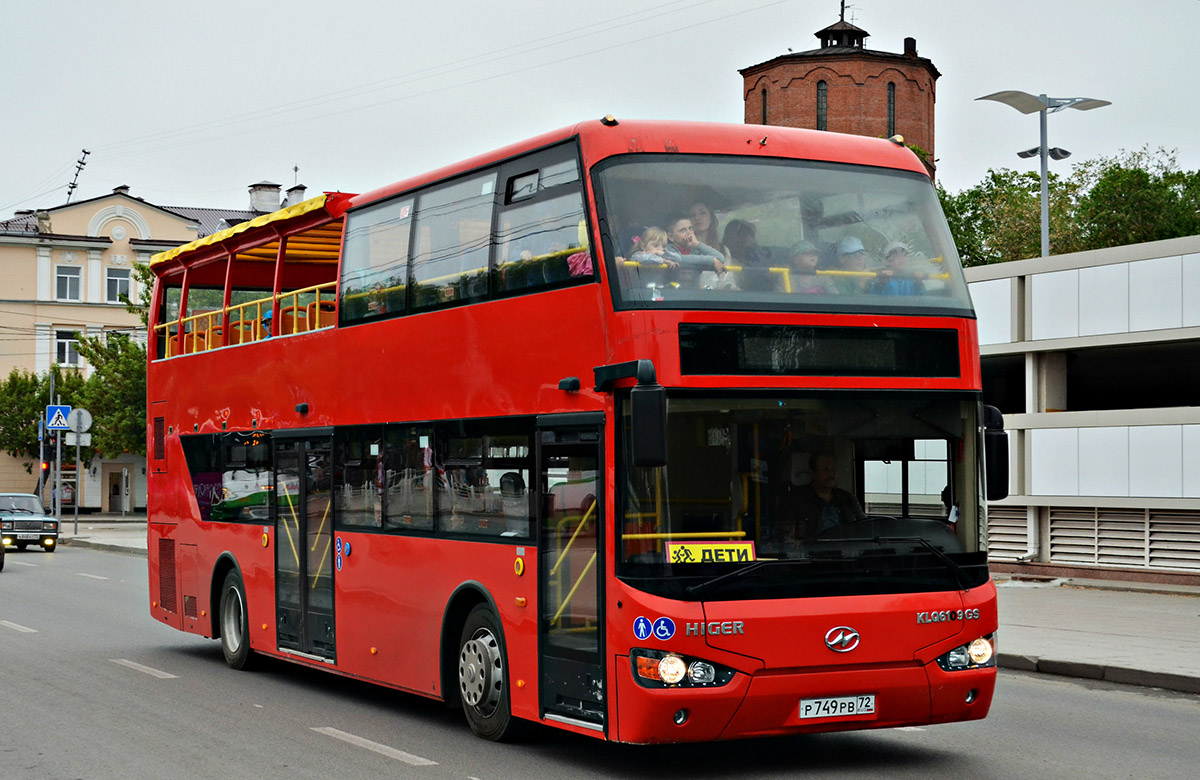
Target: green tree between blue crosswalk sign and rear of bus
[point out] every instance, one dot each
(117, 394)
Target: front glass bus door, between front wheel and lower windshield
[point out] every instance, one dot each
(572, 549)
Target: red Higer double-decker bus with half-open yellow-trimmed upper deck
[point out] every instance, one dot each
(640, 430)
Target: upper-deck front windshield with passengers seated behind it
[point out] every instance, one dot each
(740, 233)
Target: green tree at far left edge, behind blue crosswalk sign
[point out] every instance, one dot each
(23, 398)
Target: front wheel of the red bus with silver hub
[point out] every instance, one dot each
(483, 677)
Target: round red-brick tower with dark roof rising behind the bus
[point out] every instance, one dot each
(847, 88)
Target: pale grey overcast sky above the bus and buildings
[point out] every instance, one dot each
(190, 103)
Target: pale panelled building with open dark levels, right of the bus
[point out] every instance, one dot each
(1095, 361)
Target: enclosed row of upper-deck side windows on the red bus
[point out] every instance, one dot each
(513, 229)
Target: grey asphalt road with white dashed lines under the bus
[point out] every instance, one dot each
(94, 689)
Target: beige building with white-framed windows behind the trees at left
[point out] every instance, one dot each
(63, 272)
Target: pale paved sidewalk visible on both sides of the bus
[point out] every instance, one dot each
(1115, 632)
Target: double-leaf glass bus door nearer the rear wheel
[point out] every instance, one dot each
(304, 536)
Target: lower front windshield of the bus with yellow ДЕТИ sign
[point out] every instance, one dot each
(794, 496)
